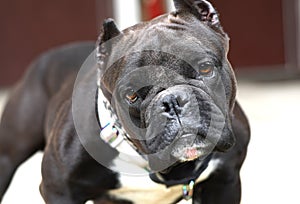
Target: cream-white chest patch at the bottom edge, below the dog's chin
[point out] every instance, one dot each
(143, 190)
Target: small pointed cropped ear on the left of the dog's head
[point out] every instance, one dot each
(109, 31)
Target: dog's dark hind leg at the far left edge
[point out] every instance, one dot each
(21, 127)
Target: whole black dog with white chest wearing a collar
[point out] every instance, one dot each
(165, 87)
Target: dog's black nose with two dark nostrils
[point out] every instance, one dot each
(173, 104)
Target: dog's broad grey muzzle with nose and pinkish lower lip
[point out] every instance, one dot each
(183, 124)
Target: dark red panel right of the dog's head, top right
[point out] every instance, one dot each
(256, 31)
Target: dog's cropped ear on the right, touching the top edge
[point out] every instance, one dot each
(202, 9)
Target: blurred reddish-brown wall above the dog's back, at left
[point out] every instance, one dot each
(32, 26)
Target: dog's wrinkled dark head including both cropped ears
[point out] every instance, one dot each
(171, 84)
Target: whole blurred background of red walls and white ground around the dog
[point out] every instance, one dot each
(265, 53)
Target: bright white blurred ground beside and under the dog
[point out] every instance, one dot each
(270, 173)
